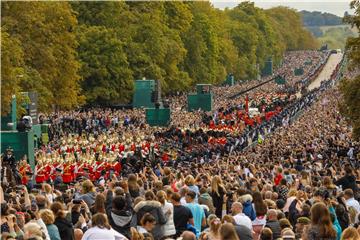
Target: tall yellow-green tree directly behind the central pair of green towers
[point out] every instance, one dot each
(157, 51)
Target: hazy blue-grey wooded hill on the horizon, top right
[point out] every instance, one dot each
(313, 19)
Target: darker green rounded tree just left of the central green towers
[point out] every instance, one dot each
(105, 69)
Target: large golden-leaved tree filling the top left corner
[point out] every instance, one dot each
(45, 31)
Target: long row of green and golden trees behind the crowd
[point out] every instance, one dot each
(74, 53)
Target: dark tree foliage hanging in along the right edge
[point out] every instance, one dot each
(350, 88)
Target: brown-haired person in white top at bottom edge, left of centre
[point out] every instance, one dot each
(101, 229)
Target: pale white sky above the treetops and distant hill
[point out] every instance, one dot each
(337, 7)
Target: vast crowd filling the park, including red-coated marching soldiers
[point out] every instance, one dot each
(107, 175)
